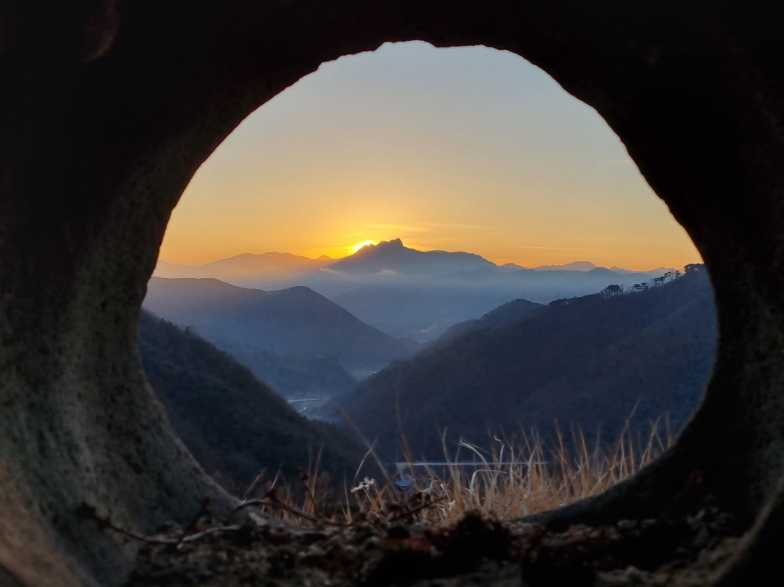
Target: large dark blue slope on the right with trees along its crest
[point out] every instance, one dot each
(590, 362)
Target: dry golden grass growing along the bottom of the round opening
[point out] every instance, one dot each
(505, 481)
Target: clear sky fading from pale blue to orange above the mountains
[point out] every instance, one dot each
(467, 149)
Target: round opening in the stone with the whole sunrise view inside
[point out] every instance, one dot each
(439, 254)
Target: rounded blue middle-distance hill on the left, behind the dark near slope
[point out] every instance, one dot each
(252, 324)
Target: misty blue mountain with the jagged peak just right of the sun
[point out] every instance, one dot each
(420, 294)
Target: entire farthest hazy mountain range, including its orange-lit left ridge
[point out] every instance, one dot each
(414, 294)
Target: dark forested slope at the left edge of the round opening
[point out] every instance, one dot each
(233, 424)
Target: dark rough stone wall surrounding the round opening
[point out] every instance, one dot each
(107, 110)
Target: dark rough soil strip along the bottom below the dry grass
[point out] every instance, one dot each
(256, 551)
